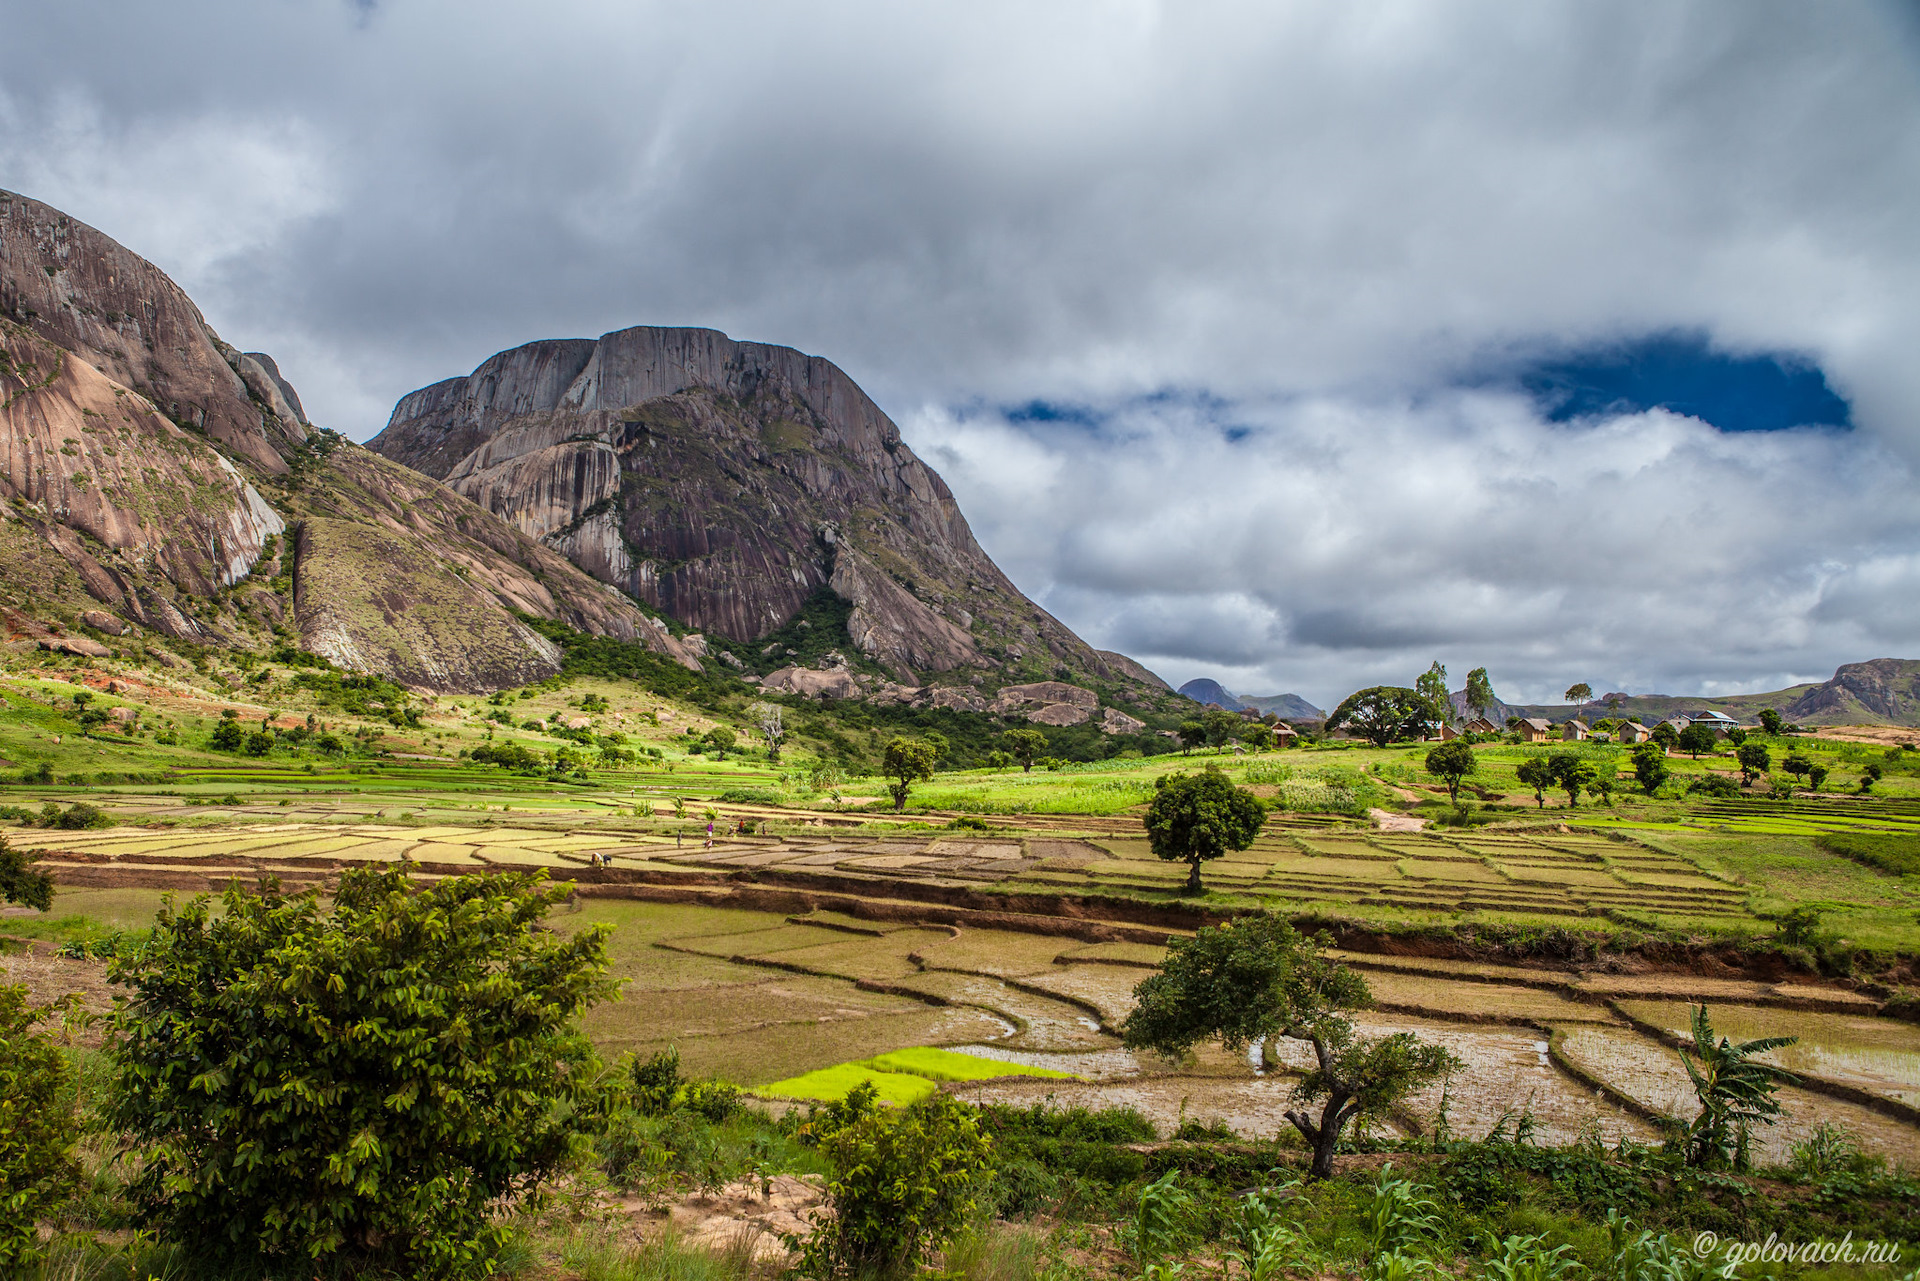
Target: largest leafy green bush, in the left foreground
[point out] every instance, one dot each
(370, 1082)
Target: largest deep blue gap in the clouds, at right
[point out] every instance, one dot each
(1687, 375)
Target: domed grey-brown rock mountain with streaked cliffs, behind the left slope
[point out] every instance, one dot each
(725, 483)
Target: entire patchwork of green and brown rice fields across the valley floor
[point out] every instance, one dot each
(798, 940)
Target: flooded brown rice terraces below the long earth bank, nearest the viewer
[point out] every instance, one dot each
(800, 1005)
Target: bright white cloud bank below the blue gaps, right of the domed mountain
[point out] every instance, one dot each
(1322, 544)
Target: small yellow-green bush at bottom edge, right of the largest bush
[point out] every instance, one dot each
(901, 1186)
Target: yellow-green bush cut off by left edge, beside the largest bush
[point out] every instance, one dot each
(37, 1130)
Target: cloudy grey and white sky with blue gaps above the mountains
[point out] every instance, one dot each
(1287, 345)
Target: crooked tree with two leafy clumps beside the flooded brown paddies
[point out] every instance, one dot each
(1259, 979)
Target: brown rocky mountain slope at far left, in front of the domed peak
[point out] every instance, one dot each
(153, 470)
